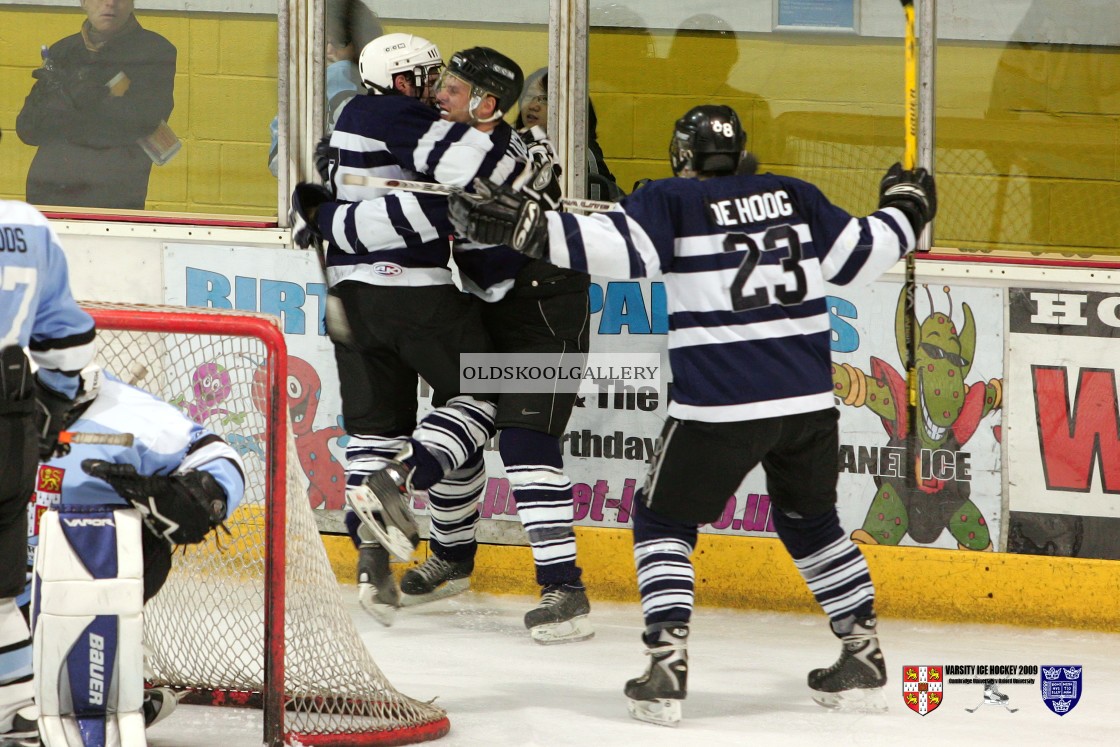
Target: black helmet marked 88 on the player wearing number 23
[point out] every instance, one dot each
(708, 139)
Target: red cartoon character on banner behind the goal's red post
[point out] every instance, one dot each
(328, 480)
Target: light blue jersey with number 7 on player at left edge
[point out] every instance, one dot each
(38, 311)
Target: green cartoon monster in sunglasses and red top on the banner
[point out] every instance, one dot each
(950, 413)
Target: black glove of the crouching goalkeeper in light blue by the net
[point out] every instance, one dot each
(181, 508)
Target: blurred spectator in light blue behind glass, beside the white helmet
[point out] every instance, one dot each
(350, 25)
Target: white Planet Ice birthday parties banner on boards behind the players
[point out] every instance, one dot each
(617, 425)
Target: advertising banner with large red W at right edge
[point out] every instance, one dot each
(1063, 434)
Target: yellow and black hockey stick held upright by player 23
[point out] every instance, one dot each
(910, 321)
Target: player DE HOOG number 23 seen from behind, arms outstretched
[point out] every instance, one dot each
(745, 258)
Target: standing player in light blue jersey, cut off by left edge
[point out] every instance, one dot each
(38, 312)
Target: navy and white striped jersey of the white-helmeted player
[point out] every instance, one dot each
(395, 238)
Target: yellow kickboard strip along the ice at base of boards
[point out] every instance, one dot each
(758, 574)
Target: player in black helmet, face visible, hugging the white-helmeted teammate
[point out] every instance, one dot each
(531, 307)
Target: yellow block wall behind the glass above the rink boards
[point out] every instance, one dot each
(1054, 113)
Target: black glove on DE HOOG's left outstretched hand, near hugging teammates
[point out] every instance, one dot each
(497, 214)
